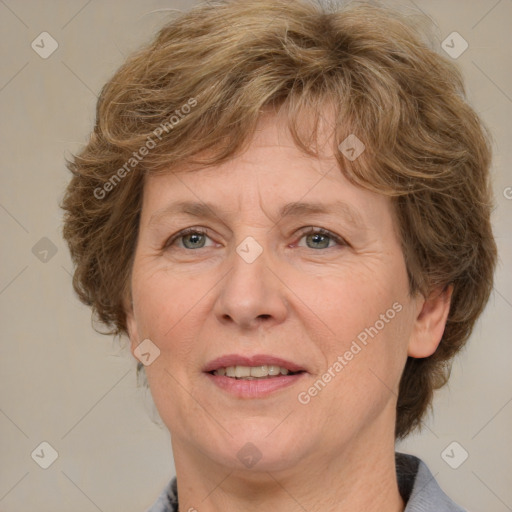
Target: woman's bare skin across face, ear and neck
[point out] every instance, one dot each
(304, 299)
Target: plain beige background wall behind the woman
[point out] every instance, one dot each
(63, 383)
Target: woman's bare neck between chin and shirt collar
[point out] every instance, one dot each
(360, 477)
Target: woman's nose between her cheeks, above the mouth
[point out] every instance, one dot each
(251, 293)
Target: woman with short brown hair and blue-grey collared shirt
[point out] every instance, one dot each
(286, 209)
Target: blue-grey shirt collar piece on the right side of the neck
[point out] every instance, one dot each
(419, 488)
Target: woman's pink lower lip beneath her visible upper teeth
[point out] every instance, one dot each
(257, 388)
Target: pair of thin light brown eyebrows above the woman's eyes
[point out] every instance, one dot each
(294, 209)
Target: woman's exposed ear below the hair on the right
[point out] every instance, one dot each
(431, 315)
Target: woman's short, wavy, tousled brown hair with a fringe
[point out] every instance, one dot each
(200, 87)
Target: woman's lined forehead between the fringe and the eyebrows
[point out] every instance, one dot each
(272, 174)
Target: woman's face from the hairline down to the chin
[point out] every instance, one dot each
(252, 279)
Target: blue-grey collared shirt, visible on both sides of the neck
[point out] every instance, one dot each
(418, 488)
